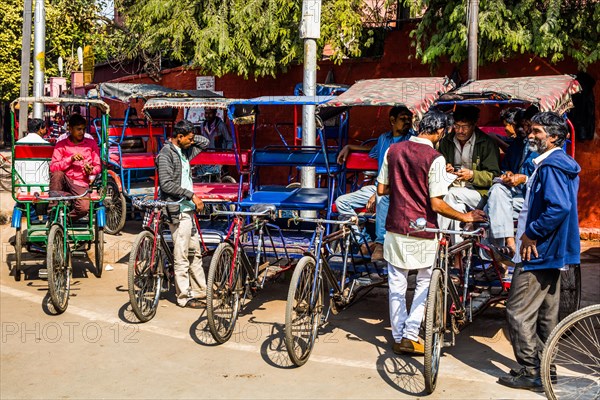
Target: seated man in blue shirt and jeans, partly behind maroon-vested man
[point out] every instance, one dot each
(401, 121)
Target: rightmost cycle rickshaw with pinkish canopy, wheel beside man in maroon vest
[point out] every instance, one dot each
(459, 289)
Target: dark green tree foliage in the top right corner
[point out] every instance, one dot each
(551, 29)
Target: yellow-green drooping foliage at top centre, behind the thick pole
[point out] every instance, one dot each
(244, 37)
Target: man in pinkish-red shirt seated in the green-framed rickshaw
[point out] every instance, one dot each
(75, 161)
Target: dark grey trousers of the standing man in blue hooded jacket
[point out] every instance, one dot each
(532, 313)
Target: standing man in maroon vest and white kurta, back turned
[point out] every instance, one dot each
(414, 175)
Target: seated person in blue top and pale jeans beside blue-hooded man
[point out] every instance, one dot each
(506, 196)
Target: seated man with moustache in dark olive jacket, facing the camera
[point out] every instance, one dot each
(474, 158)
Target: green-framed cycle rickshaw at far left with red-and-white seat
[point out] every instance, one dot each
(59, 238)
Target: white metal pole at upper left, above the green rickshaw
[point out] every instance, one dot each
(39, 59)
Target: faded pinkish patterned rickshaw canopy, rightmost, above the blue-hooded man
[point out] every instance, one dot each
(548, 93)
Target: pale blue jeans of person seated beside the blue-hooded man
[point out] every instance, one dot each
(503, 206)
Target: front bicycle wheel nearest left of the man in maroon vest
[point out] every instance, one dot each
(303, 311)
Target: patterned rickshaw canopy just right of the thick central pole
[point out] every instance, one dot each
(417, 94)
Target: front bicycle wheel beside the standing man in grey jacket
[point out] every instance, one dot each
(143, 277)
